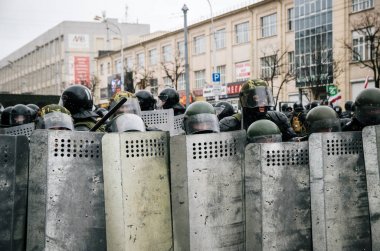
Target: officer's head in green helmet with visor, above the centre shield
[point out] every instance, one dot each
(200, 117)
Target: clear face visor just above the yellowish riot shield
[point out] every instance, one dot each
(127, 123)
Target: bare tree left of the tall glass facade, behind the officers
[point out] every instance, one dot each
(274, 65)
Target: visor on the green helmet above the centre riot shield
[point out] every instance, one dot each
(201, 123)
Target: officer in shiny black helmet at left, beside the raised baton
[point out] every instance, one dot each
(78, 100)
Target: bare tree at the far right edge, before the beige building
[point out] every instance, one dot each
(367, 27)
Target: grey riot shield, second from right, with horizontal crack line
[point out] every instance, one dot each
(339, 201)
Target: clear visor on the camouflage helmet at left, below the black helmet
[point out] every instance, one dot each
(58, 121)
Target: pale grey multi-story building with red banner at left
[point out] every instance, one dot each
(64, 55)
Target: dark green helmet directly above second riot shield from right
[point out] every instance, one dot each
(322, 119)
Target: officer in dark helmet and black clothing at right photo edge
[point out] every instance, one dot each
(366, 110)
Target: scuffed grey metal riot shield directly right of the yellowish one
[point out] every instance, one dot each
(207, 191)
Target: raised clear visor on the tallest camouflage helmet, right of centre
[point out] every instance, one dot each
(258, 97)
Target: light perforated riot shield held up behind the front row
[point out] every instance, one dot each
(160, 119)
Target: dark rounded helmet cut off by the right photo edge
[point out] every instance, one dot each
(367, 106)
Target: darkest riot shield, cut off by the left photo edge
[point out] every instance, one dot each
(14, 153)
